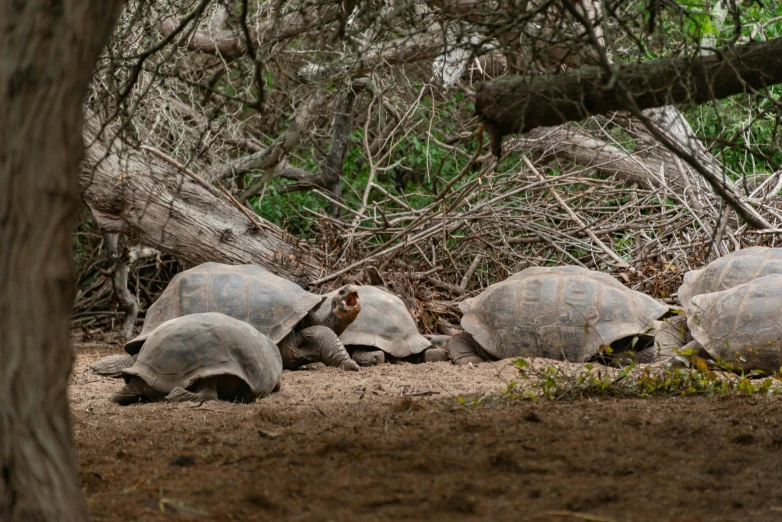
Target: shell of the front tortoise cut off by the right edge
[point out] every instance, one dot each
(741, 325)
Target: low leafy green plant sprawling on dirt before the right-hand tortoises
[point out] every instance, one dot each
(556, 382)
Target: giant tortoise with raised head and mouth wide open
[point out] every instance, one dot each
(305, 326)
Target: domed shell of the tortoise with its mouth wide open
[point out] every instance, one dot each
(271, 304)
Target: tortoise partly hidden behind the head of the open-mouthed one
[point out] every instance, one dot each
(384, 329)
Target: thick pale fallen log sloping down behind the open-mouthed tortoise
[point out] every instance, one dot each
(167, 210)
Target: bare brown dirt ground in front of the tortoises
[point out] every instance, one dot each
(392, 442)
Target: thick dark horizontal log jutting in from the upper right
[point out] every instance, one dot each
(515, 104)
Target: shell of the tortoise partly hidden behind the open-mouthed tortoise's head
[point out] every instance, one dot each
(384, 323)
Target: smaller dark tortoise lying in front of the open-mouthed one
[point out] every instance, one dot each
(202, 357)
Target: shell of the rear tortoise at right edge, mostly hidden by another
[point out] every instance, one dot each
(734, 269)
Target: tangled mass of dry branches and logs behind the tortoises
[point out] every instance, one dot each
(350, 126)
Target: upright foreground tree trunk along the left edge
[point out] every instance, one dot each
(47, 54)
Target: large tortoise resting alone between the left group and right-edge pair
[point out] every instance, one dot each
(566, 313)
